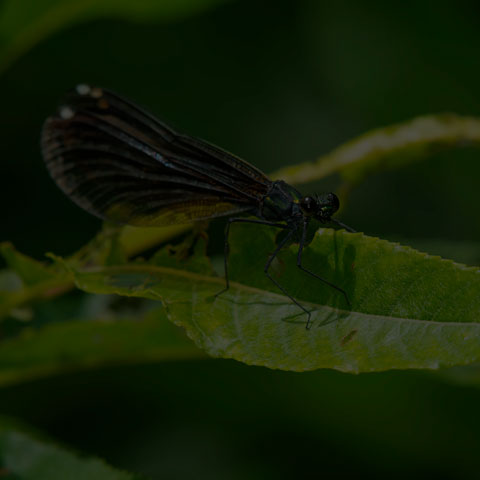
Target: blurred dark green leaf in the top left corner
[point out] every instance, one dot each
(24, 23)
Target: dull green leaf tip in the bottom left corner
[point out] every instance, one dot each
(27, 456)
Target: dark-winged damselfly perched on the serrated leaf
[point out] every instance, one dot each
(120, 163)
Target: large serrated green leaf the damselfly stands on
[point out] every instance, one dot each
(409, 309)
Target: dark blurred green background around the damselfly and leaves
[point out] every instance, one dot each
(278, 83)
